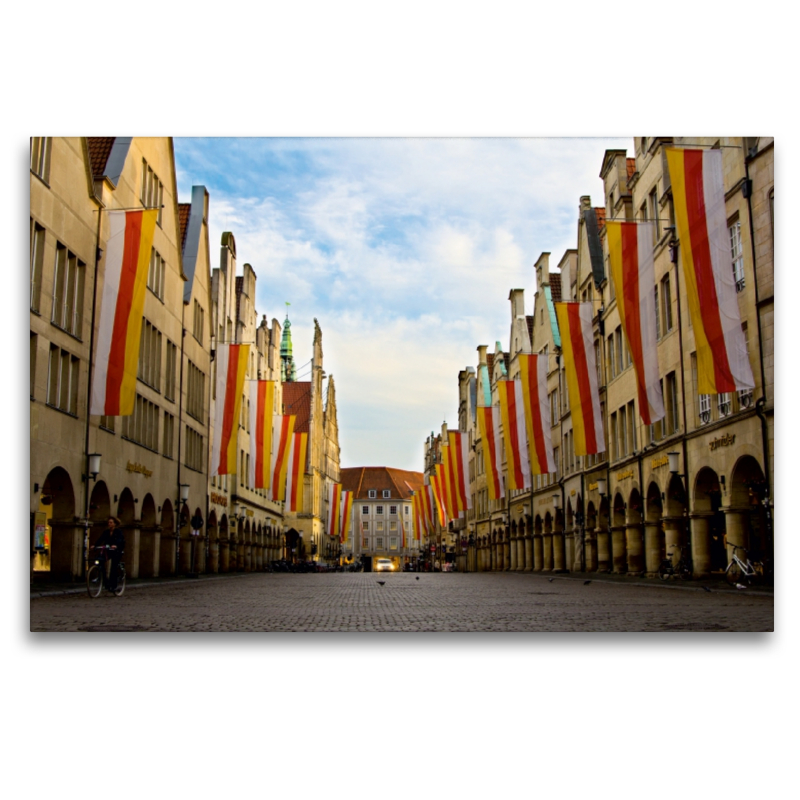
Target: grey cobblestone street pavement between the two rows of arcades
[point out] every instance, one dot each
(435, 602)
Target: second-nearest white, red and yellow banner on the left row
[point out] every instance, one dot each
(231, 368)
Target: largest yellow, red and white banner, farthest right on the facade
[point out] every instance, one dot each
(698, 193)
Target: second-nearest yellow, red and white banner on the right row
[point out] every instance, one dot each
(630, 255)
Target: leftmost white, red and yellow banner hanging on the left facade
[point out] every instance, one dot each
(128, 249)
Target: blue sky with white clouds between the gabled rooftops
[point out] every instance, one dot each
(405, 251)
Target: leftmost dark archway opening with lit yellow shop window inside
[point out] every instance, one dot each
(63, 539)
